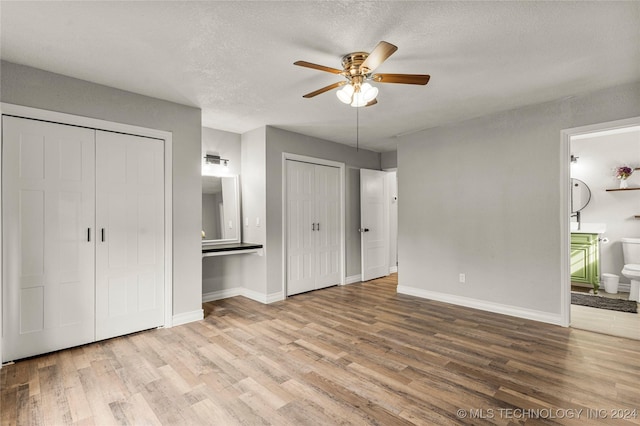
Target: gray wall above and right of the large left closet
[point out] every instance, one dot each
(35, 88)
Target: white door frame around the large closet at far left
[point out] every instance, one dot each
(94, 123)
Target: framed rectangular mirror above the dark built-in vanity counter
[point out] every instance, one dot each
(220, 210)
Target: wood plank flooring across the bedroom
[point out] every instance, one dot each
(354, 355)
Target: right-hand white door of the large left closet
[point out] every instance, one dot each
(130, 227)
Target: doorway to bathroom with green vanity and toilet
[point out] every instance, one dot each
(603, 207)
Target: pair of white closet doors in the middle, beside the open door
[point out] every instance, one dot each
(313, 228)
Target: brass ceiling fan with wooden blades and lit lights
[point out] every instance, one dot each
(357, 68)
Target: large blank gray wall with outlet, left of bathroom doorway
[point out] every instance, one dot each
(482, 197)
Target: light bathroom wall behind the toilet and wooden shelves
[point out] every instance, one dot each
(598, 156)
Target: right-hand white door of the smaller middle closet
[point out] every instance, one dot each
(327, 219)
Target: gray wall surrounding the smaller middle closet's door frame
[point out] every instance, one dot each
(280, 141)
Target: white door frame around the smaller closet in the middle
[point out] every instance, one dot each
(322, 162)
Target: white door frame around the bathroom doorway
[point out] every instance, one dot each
(565, 205)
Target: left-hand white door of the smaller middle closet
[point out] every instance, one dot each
(300, 234)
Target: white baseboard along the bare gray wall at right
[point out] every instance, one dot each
(483, 305)
